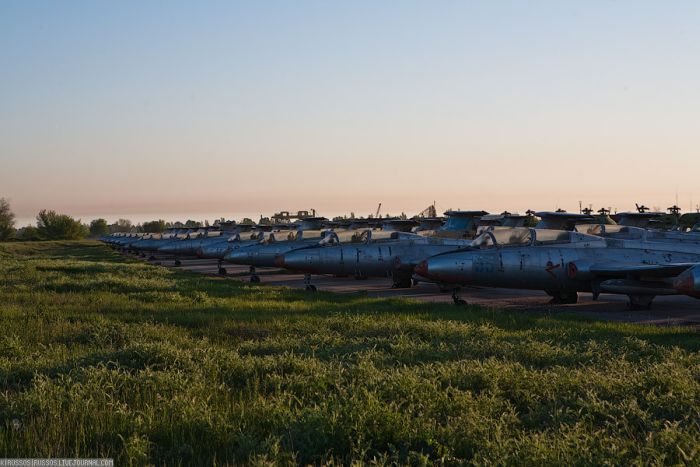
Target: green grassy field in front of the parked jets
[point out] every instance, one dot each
(103, 356)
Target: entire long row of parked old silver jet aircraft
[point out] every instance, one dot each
(561, 253)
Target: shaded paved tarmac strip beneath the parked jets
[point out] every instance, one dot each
(675, 310)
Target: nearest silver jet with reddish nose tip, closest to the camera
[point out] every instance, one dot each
(563, 263)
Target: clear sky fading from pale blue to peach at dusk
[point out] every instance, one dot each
(229, 109)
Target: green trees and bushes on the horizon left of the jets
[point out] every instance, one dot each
(51, 225)
